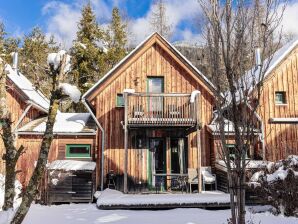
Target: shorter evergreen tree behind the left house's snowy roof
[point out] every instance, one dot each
(33, 58)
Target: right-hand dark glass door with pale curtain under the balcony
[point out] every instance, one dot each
(179, 155)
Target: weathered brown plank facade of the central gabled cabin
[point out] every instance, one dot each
(154, 58)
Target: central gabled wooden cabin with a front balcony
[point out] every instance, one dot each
(153, 107)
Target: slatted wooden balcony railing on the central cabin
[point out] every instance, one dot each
(160, 109)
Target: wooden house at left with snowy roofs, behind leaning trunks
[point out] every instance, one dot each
(74, 133)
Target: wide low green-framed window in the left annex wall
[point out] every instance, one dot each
(78, 151)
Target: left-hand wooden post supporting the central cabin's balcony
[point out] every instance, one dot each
(125, 95)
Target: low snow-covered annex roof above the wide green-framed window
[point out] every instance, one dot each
(65, 123)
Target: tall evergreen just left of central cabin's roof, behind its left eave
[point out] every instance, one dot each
(87, 57)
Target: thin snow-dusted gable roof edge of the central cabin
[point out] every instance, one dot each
(200, 74)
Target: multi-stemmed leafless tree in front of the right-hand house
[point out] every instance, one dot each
(235, 31)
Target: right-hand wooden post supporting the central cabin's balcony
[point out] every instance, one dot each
(199, 145)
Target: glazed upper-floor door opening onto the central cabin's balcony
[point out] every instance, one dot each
(155, 104)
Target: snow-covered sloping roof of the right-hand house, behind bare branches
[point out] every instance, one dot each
(252, 77)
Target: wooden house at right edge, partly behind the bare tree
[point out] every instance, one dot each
(277, 116)
